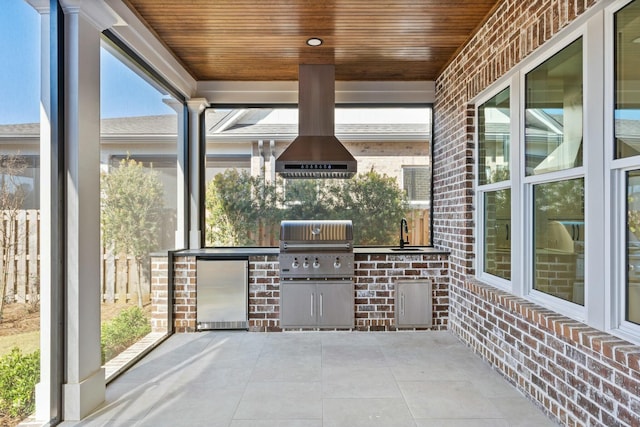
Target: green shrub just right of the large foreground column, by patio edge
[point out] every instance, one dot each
(122, 331)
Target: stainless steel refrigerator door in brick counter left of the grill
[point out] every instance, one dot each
(222, 294)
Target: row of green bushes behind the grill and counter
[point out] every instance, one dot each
(238, 204)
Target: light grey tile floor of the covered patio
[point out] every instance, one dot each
(313, 379)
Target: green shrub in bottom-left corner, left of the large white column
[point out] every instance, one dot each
(19, 374)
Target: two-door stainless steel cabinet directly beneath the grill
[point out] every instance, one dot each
(316, 305)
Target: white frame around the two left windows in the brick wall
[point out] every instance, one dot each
(596, 308)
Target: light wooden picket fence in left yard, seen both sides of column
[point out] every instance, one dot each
(20, 267)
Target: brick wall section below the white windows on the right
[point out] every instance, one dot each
(580, 375)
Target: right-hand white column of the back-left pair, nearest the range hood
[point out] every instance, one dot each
(196, 107)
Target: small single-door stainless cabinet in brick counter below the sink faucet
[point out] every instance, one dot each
(414, 303)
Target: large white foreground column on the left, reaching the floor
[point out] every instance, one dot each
(84, 388)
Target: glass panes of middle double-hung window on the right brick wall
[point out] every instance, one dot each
(553, 142)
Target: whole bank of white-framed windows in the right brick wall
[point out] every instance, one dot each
(558, 191)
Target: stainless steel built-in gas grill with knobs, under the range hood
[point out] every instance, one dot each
(316, 250)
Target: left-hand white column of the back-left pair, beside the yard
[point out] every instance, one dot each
(181, 240)
